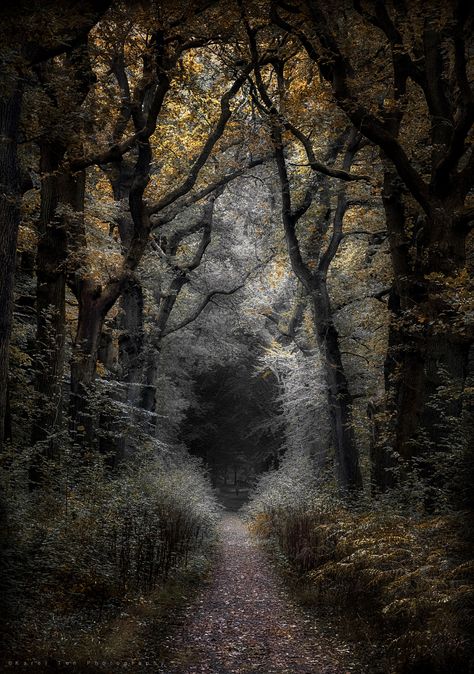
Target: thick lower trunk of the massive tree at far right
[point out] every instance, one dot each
(427, 358)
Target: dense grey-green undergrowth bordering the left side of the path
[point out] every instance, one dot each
(88, 538)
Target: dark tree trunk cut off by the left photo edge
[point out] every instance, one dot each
(10, 109)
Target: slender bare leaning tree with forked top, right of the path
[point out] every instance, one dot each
(315, 280)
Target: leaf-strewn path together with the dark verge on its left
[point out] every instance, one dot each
(240, 618)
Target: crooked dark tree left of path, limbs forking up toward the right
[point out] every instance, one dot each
(95, 300)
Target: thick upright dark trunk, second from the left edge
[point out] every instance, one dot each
(65, 83)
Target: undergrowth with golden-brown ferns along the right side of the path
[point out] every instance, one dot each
(408, 576)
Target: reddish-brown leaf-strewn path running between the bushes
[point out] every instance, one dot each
(246, 623)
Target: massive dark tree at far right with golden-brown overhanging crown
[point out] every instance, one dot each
(423, 67)
